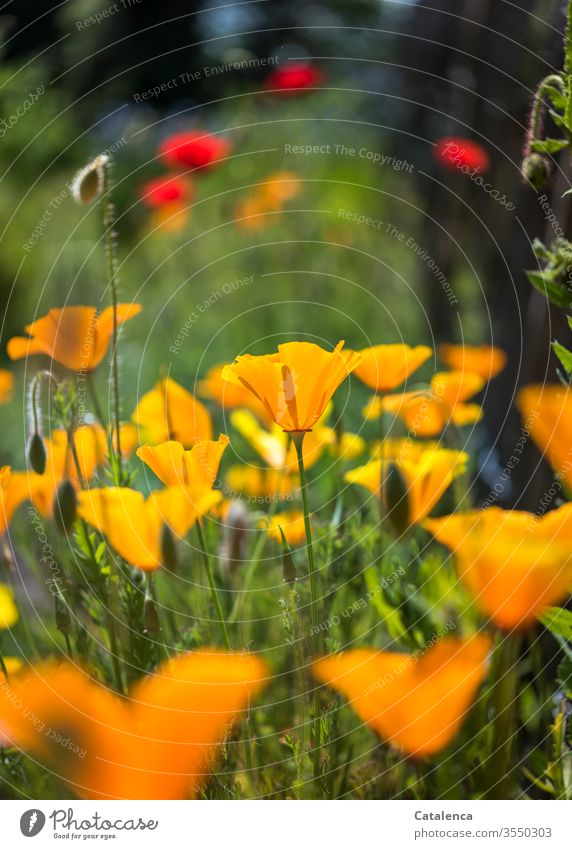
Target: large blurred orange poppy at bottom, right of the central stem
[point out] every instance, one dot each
(416, 702)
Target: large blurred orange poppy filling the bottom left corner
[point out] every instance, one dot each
(160, 743)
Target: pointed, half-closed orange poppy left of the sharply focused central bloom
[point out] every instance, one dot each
(169, 412)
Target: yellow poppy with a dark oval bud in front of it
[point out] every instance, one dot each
(426, 469)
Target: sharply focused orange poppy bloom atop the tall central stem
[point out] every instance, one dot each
(296, 383)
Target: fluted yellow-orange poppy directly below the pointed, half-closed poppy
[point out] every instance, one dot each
(195, 470)
